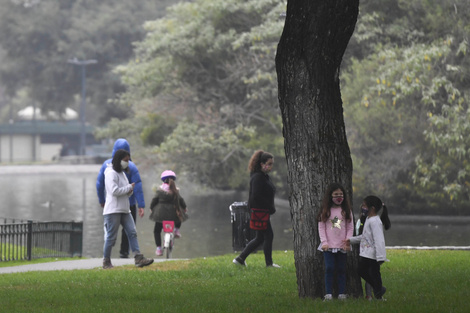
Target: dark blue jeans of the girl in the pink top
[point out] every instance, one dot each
(335, 261)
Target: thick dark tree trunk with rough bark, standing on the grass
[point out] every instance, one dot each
(315, 36)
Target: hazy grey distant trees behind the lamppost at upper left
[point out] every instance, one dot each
(38, 37)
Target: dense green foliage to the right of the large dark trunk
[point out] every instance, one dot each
(406, 77)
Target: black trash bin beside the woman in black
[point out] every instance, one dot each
(242, 234)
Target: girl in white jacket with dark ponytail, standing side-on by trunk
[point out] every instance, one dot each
(372, 244)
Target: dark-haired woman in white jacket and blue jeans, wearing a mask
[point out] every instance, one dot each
(116, 209)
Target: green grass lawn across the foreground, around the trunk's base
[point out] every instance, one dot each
(417, 281)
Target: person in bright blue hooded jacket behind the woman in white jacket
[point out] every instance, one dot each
(134, 177)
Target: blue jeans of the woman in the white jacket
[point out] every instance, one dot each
(111, 227)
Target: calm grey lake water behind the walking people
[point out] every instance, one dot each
(68, 193)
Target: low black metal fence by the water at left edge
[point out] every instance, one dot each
(27, 240)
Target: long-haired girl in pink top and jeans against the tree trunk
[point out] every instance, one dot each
(335, 225)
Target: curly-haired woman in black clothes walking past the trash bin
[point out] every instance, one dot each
(261, 196)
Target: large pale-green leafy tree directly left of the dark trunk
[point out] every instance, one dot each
(208, 65)
